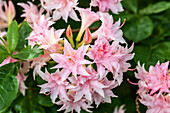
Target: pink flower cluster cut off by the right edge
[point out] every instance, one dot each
(154, 87)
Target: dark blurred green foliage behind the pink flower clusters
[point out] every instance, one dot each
(147, 25)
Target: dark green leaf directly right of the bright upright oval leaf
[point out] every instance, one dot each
(24, 32)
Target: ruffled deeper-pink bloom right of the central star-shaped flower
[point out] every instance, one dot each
(112, 57)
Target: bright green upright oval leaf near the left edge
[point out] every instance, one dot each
(12, 35)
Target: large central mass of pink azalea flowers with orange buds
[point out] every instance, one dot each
(82, 67)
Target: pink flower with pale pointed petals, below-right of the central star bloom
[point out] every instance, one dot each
(87, 85)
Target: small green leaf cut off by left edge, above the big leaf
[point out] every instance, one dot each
(3, 53)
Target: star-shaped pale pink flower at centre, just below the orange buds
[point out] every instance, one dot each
(71, 61)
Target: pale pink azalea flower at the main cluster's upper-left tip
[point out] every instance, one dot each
(31, 12)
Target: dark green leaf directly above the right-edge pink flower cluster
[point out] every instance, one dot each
(151, 55)
